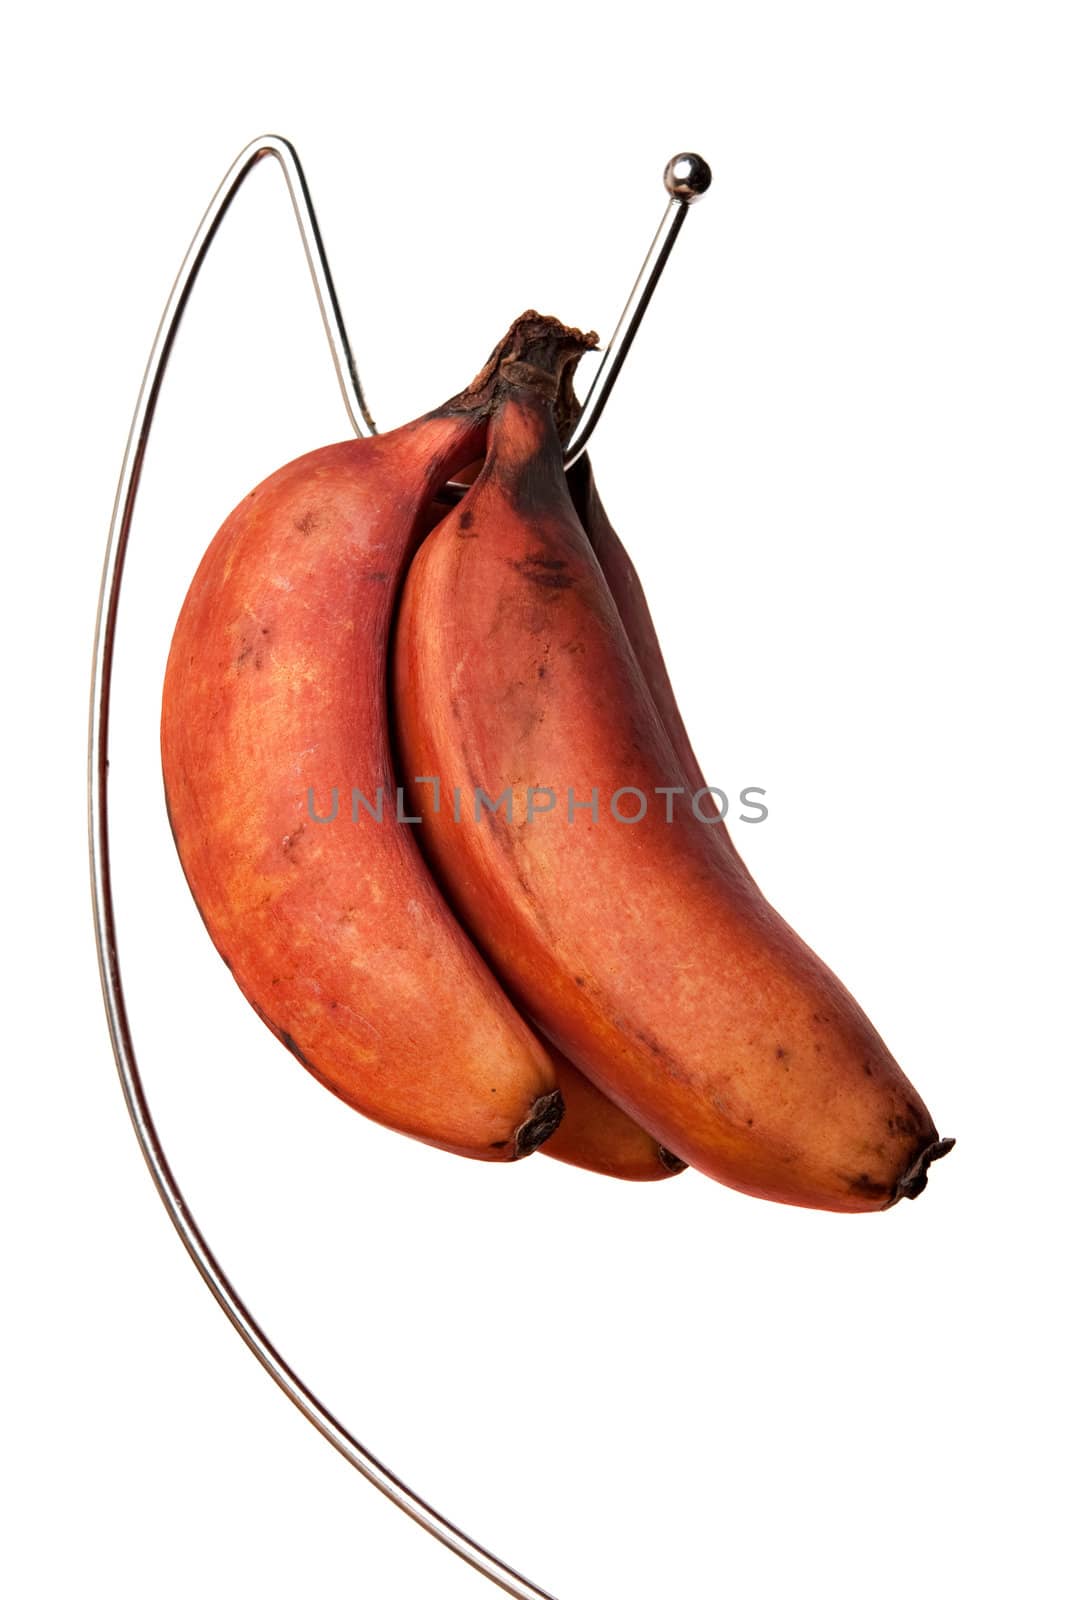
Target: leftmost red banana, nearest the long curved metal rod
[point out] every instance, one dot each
(274, 735)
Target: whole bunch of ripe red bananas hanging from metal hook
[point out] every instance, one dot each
(438, 807)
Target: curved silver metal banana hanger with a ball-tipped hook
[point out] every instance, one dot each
(687, 178)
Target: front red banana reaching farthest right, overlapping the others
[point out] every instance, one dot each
(626, 927)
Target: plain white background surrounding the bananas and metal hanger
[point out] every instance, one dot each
(837, 460)
